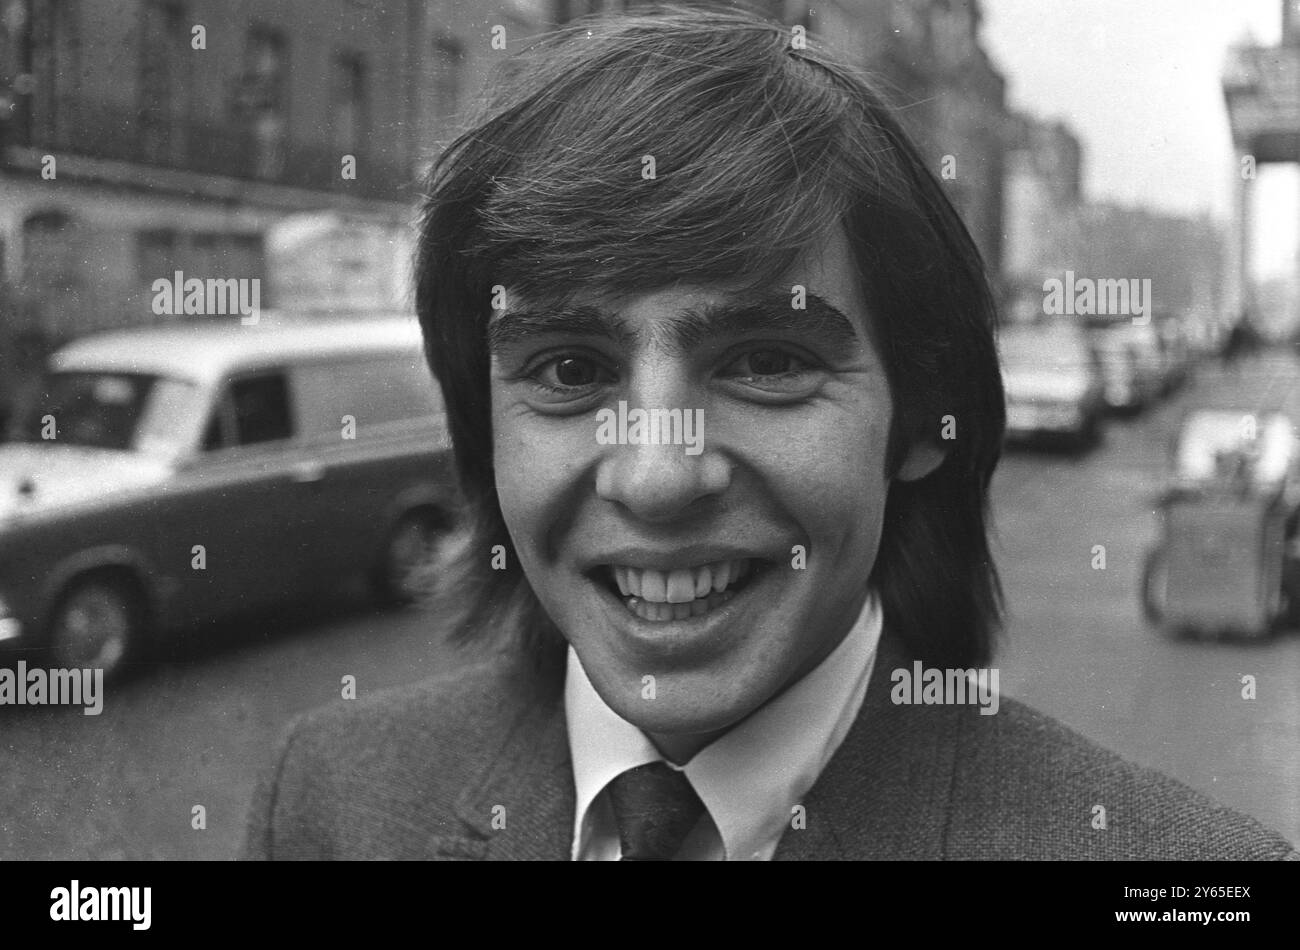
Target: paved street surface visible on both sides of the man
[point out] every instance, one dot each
(198, 730)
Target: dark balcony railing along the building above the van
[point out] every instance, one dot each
(233, 150)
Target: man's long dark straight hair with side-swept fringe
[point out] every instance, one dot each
(760, 145)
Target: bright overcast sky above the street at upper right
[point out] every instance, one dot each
(1139, 81)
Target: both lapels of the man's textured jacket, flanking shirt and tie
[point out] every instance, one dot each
(886, 793)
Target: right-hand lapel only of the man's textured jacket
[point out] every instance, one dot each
(886, 793)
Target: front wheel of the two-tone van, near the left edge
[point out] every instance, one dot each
(97, 624)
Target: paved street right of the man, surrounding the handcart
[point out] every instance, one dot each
(1077, 645)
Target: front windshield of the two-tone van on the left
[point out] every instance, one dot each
(106, 410)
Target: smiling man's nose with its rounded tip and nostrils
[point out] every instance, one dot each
(660, 483)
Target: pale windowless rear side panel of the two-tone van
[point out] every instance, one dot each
(371, 391)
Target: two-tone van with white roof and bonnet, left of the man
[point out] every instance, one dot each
(174, 475)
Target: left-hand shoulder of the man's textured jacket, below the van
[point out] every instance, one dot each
(380, 777)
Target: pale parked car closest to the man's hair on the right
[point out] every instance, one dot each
(1052, 381)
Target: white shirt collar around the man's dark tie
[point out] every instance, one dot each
(752, 777)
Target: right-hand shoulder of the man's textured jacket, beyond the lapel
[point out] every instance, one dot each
(1026, 787)
